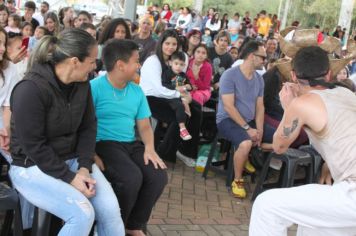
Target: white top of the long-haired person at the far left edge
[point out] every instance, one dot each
(6, 86)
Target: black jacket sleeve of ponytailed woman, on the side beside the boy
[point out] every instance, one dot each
(86, 135)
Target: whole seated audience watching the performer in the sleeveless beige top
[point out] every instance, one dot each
(78, 99)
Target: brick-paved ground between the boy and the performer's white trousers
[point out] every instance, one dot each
(192, 206)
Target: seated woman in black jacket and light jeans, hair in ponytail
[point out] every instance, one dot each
(53, 129)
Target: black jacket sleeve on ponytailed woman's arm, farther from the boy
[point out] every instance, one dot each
(29, 116)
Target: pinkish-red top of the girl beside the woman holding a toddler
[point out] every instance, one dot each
(205, 75)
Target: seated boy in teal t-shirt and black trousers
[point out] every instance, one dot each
(133, 167)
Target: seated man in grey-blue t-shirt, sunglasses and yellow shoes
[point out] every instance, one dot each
(241, 111)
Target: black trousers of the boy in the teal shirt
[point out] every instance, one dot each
(136, 185)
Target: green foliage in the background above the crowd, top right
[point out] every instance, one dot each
(309, 12)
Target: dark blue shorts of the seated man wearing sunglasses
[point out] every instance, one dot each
(236, 134)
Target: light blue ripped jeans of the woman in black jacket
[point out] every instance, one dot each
(66, 202)
